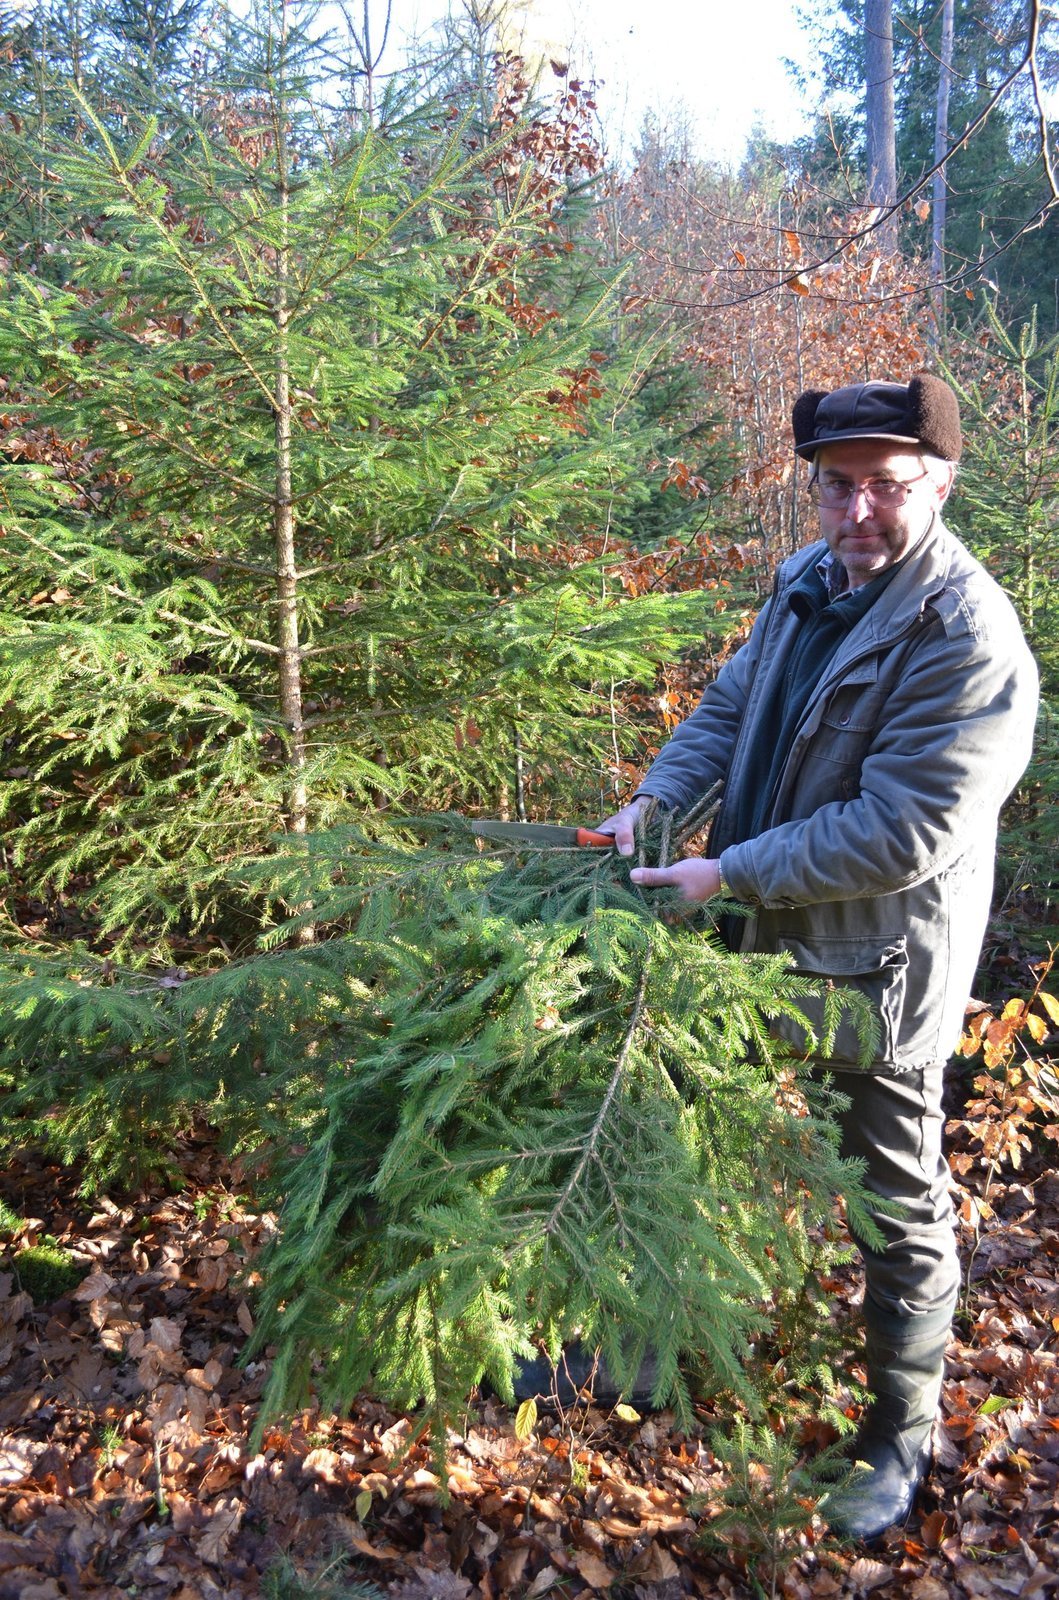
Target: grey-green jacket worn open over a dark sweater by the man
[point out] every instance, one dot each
(876, 863)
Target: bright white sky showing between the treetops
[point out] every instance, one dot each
(719, 62)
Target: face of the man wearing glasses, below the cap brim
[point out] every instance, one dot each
(869, 538)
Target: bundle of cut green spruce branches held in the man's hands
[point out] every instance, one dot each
(556, 1116)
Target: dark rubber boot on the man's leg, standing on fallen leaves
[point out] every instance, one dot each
(893, 1447)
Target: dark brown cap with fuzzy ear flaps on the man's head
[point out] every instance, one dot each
(922, 414)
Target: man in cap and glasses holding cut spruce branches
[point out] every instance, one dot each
(868, 735)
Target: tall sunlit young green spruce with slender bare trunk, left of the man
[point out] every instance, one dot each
(314, 425)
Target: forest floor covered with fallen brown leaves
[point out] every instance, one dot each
(127, 1465)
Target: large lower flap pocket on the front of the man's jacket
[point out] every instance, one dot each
(873, 969)
